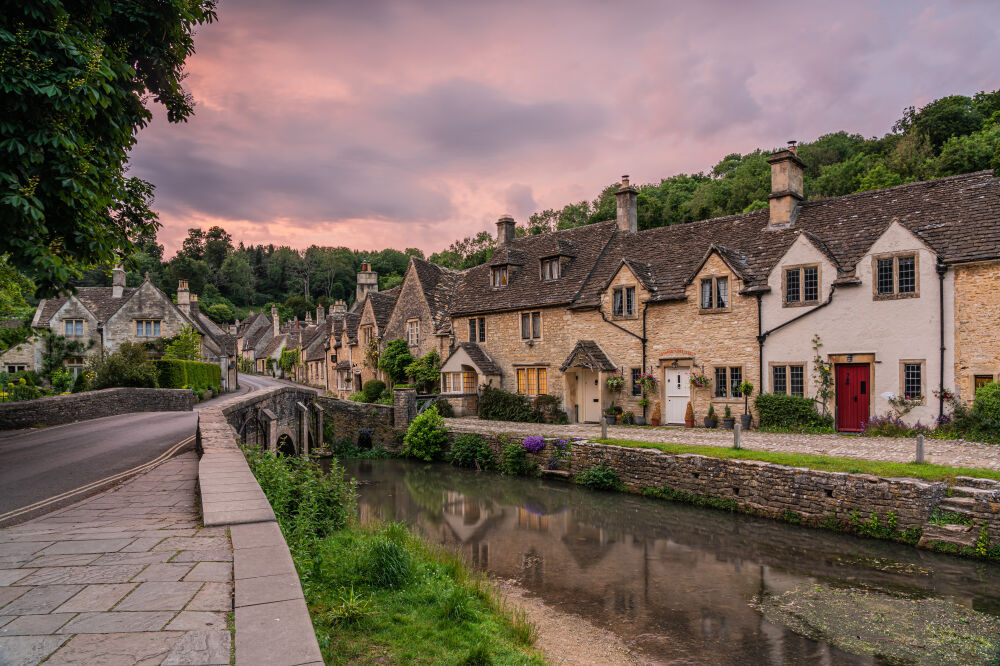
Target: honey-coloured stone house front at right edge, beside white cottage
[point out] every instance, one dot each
(977, 320)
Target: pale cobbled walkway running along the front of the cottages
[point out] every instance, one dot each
(958, 453)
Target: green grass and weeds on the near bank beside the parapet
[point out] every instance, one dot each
(380, 594)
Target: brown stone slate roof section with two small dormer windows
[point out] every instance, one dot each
(525, 287)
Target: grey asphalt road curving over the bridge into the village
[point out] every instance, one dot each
(39, 464)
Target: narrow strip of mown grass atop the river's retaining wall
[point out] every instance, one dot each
(926, 471)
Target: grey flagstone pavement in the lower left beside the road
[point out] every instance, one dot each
(125, 577)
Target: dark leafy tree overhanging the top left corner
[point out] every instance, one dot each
(76, 77)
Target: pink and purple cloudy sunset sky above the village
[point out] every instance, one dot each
(378, 124)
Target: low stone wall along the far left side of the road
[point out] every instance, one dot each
(59, 409)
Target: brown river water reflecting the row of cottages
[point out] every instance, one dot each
(674, 581)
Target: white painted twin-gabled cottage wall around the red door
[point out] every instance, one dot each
(856, 323)
